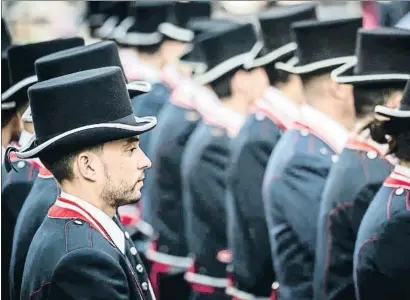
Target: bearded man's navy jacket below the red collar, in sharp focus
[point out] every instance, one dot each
(70, 260)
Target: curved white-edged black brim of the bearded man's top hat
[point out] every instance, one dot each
(86, 136)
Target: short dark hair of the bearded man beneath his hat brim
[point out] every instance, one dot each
(61, 166)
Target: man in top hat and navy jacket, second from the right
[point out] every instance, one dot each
(379, 78)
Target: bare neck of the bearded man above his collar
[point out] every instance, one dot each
(88, 194)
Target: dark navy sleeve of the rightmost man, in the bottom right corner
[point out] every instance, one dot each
(382, 263)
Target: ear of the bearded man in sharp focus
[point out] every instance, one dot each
(87, 165)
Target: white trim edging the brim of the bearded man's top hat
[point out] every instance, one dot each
(149, 122)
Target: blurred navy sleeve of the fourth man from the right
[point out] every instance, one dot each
(245, 185)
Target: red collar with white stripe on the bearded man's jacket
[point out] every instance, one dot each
(67, 209)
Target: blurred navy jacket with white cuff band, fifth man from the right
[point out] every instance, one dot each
(204, 164)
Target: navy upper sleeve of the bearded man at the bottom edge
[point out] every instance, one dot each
(88, 274)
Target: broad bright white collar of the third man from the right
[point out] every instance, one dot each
(334, 133)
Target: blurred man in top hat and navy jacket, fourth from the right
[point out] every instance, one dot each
(276, 111)
